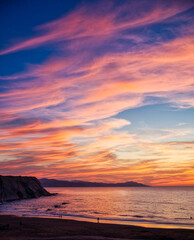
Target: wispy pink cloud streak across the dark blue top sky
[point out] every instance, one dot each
(84, 23)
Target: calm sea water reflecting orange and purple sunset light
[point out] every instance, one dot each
(147, 206)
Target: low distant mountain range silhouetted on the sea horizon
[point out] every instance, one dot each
(59, 183)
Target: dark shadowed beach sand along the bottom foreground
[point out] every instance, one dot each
(51, 229)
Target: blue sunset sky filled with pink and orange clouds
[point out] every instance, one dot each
(98, 90)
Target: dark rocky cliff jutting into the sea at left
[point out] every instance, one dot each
(17, 187)
